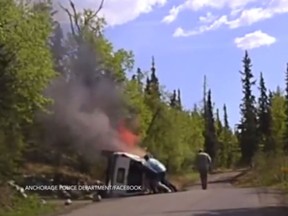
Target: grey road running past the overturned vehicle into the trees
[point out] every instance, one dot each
(221, 198)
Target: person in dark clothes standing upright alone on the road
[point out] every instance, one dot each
(203, 164)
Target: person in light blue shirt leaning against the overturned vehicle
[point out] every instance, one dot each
(160, 170)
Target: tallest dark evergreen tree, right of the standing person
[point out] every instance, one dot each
(248, 138)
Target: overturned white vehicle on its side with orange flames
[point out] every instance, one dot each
(126, 169)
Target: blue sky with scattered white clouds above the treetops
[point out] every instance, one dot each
(193, 38)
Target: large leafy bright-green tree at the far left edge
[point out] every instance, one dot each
(26, 69)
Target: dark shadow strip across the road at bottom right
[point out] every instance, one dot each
(267, 211)
